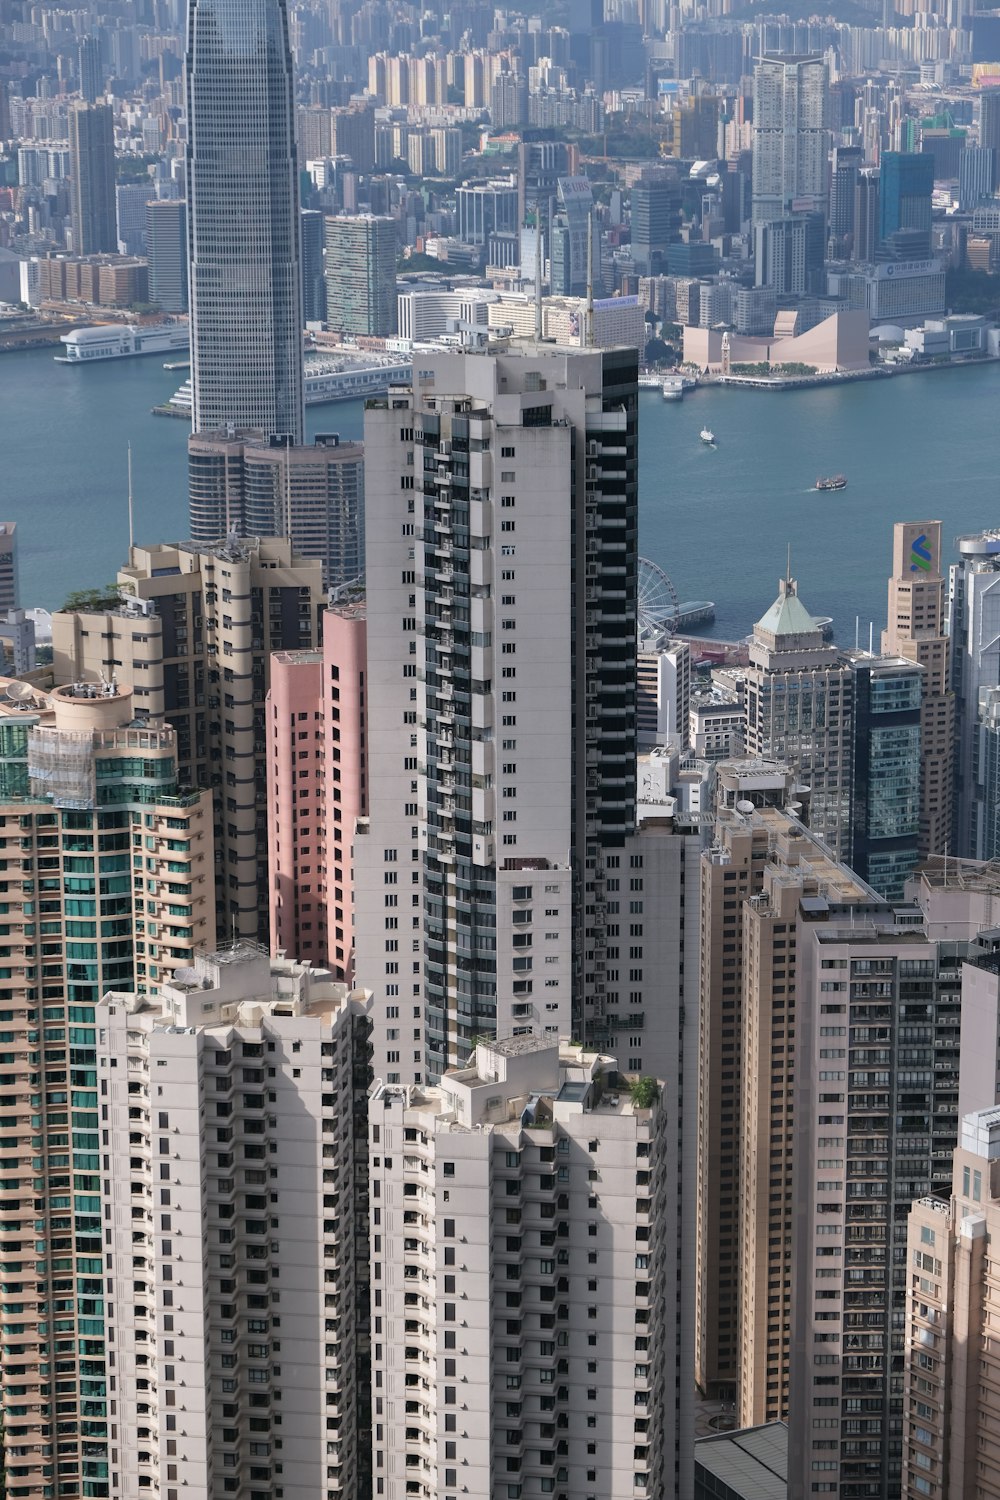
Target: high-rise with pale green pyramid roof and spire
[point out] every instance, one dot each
(800, 710)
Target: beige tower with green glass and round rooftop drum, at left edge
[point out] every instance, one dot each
(109, 871)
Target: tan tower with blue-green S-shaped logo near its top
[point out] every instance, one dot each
(917, 631)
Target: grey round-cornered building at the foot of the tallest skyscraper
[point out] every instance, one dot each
(259, 487)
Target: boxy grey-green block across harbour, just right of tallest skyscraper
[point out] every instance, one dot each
(361, 271)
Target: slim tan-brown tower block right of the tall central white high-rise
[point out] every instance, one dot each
(762, 863)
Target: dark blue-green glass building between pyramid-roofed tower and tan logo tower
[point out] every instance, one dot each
(890, 767)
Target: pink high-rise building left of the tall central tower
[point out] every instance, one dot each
(317, 790)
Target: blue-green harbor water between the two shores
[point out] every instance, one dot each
(717, 520)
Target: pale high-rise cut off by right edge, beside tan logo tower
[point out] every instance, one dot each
(974, 640)
